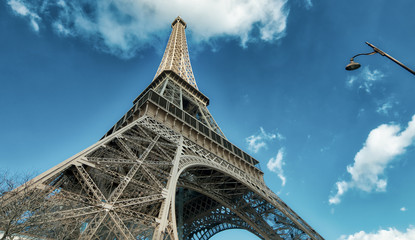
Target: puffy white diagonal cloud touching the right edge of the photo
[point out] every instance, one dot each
(382, 146)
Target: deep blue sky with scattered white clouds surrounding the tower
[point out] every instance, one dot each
(336, 146)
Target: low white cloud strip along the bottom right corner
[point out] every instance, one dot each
(388, 234)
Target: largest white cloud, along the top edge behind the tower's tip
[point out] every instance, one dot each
(123, 27)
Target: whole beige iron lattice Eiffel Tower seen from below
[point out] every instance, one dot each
(165, 170)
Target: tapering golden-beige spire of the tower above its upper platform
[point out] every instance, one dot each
(176, 55)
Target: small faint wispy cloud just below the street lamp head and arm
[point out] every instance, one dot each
(365, 79)
